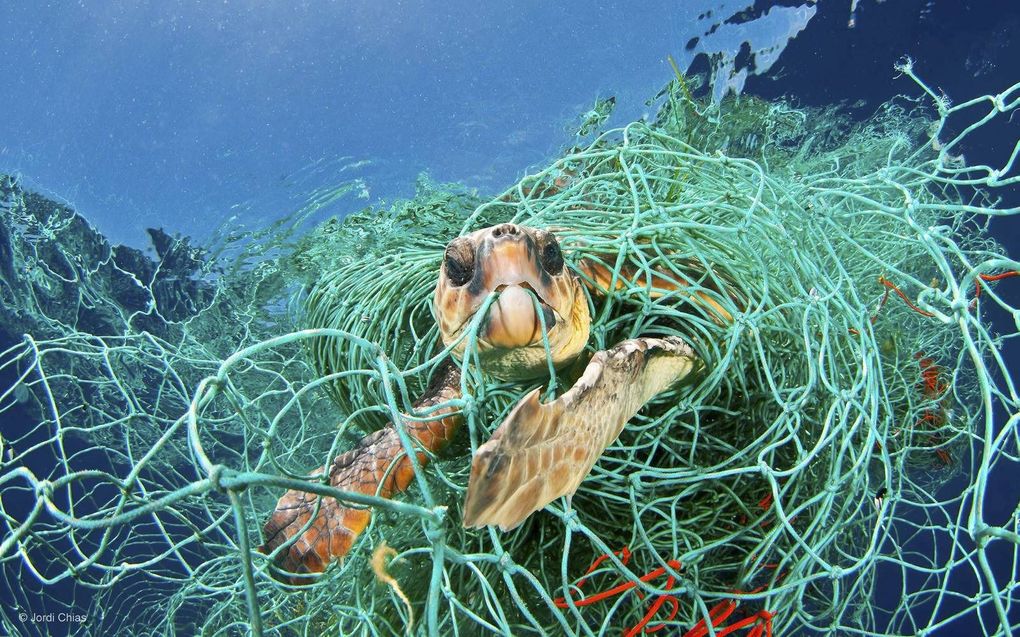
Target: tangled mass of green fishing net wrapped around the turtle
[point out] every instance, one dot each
(836, 456)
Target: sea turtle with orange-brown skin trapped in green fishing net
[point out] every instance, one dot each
(542, 451)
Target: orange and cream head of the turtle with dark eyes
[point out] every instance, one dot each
(520, 264)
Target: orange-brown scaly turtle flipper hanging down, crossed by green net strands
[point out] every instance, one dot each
(378, 466)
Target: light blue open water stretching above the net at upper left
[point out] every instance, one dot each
(175, 114)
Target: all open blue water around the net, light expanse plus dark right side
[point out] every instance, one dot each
(183, 115)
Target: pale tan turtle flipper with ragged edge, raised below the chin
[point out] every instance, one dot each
(543, 452)
